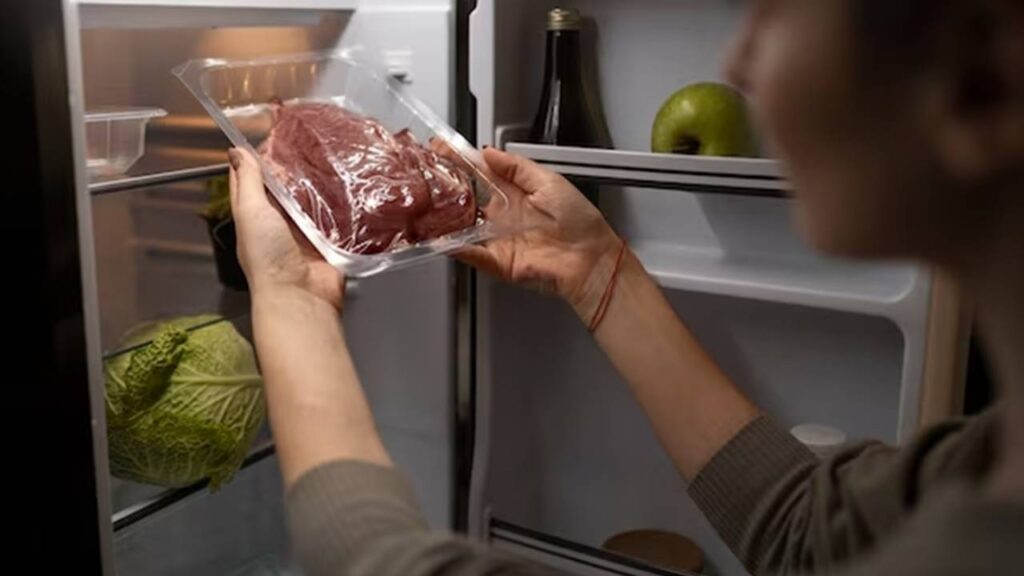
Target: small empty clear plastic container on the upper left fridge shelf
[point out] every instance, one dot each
(116, 139)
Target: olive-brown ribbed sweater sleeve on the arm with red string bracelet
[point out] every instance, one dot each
(784, 512)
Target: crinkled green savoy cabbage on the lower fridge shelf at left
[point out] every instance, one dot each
(185, 405)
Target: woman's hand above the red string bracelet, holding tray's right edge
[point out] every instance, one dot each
(564, 244)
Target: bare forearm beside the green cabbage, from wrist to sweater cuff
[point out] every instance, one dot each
(317, 406)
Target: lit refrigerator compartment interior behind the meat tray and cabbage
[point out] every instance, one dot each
(155, 261)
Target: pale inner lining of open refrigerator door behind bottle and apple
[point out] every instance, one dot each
(562, 448)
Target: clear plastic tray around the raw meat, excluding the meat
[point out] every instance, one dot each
(239, 95)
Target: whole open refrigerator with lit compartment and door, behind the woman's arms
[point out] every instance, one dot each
(513, 427)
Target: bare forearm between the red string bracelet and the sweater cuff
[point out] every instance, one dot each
(694, 406)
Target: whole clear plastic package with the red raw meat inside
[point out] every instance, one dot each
(369, 174)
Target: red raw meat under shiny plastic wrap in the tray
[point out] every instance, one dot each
(367, 190)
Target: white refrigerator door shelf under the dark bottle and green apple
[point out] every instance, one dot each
(733, 177)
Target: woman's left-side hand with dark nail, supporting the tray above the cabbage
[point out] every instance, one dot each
(274, 255)
